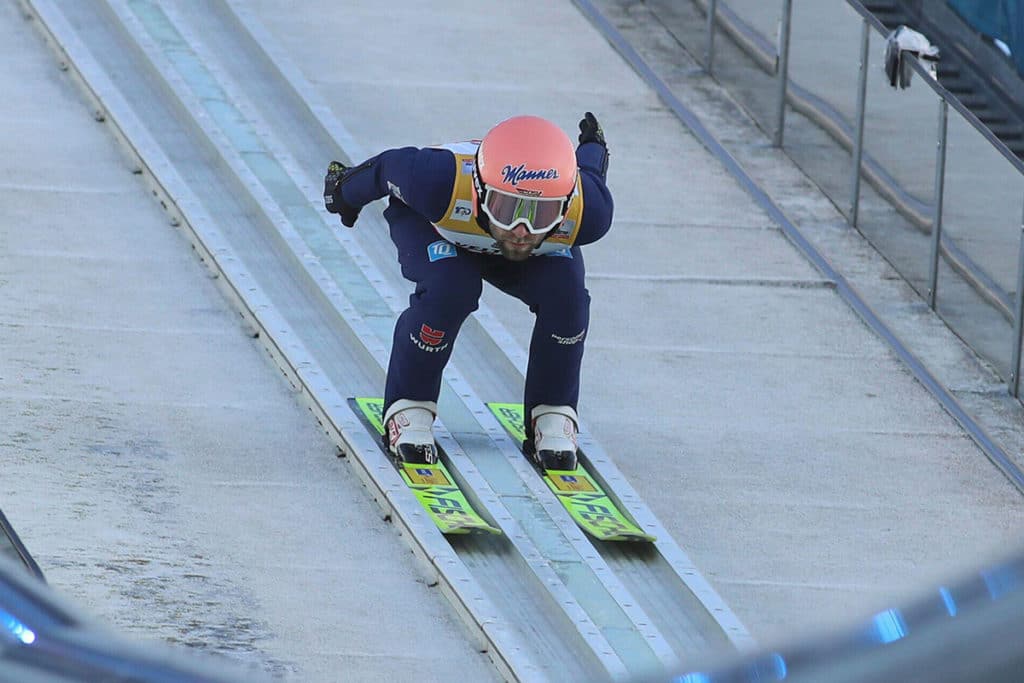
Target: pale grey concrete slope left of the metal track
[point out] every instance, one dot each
(155, 462)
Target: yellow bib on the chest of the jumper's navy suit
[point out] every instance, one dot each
(459, 227)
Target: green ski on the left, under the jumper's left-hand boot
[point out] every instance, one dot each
(434, 486)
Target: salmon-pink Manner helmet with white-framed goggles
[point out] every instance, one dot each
(526, 174)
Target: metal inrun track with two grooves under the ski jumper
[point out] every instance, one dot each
(234, 143)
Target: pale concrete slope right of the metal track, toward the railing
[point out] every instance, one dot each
(785, 445)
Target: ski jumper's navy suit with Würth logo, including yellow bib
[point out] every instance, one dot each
(445, 251)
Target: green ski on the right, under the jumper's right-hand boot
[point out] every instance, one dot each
(580, 493)
